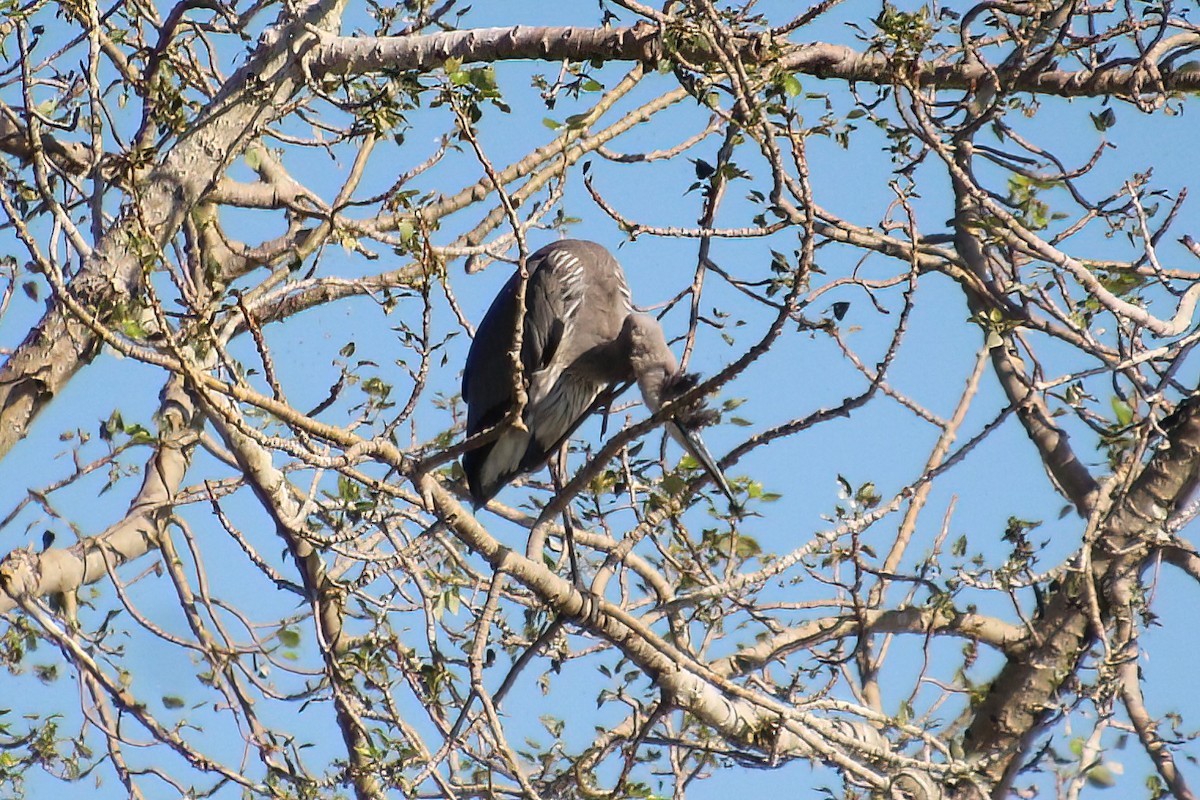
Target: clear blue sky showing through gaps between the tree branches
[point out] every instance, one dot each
(883, 443)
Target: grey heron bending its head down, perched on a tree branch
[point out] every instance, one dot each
(581, 338)
